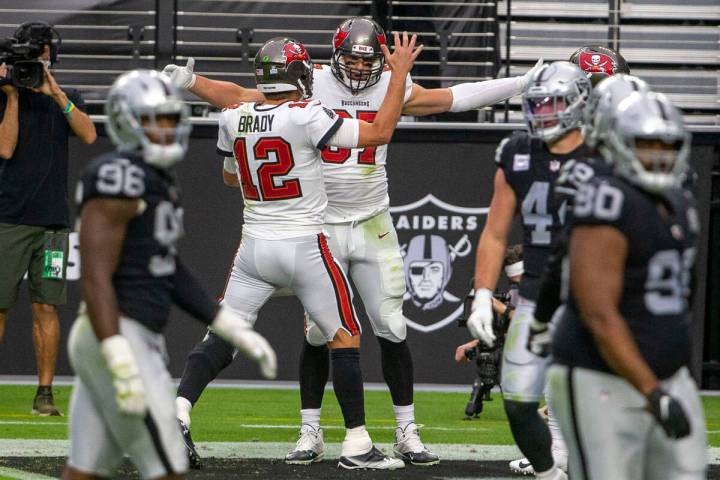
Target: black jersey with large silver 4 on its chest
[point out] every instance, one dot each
(531, 171)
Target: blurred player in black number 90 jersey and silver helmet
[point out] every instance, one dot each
(623, 339)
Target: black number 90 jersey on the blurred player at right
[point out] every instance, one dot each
(661, 233)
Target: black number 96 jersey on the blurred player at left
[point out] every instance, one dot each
(144, 276)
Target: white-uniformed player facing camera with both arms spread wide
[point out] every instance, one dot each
(362, 235)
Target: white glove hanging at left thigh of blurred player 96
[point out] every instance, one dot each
(129, 389)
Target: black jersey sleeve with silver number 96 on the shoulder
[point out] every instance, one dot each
(114, 177)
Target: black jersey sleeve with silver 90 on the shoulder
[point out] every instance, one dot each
(602, 201)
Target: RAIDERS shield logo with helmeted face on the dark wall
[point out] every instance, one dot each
(435, 241)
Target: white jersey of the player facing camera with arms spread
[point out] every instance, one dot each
(355, 179)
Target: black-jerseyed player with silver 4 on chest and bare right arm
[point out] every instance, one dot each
(528, 165)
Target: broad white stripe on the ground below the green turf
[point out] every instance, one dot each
(277, 450)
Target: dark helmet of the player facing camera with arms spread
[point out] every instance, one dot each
(358, 37)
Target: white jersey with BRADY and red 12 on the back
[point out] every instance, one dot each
(277, 153)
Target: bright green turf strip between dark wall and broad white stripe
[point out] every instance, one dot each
(235, 415)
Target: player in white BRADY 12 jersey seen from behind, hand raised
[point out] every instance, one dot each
(272, 151)
